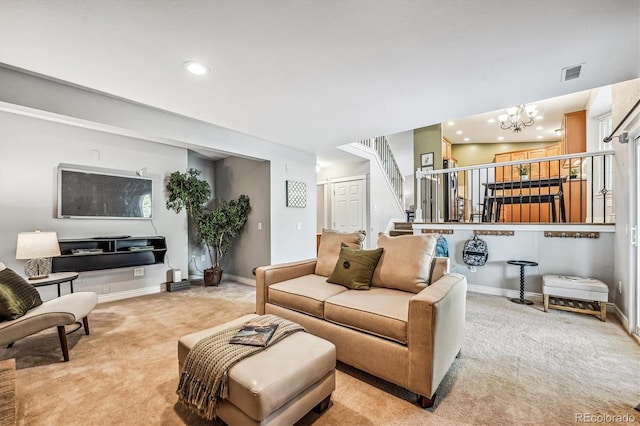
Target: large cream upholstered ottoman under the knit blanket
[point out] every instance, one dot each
(278, 385)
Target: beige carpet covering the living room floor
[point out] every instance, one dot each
(519, 366)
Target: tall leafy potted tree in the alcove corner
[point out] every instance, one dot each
(215, 228)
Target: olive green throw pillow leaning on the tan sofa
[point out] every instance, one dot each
(354, 268)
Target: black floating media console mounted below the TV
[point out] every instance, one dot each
(91, 254)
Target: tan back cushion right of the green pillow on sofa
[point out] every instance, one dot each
(405, 263)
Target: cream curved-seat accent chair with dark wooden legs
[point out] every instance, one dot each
(65, 310)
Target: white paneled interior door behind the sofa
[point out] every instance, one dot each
(348, 210)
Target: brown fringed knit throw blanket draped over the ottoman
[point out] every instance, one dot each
(204, 377)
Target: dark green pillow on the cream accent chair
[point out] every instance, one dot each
(17, 296)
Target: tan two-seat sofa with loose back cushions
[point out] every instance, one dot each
(407, 328)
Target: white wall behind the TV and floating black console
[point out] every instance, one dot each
(30, 151)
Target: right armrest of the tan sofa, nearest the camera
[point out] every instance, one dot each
(435, 332)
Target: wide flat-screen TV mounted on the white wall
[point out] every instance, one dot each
(85, 193)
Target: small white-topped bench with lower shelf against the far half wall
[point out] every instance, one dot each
(575, 294)
